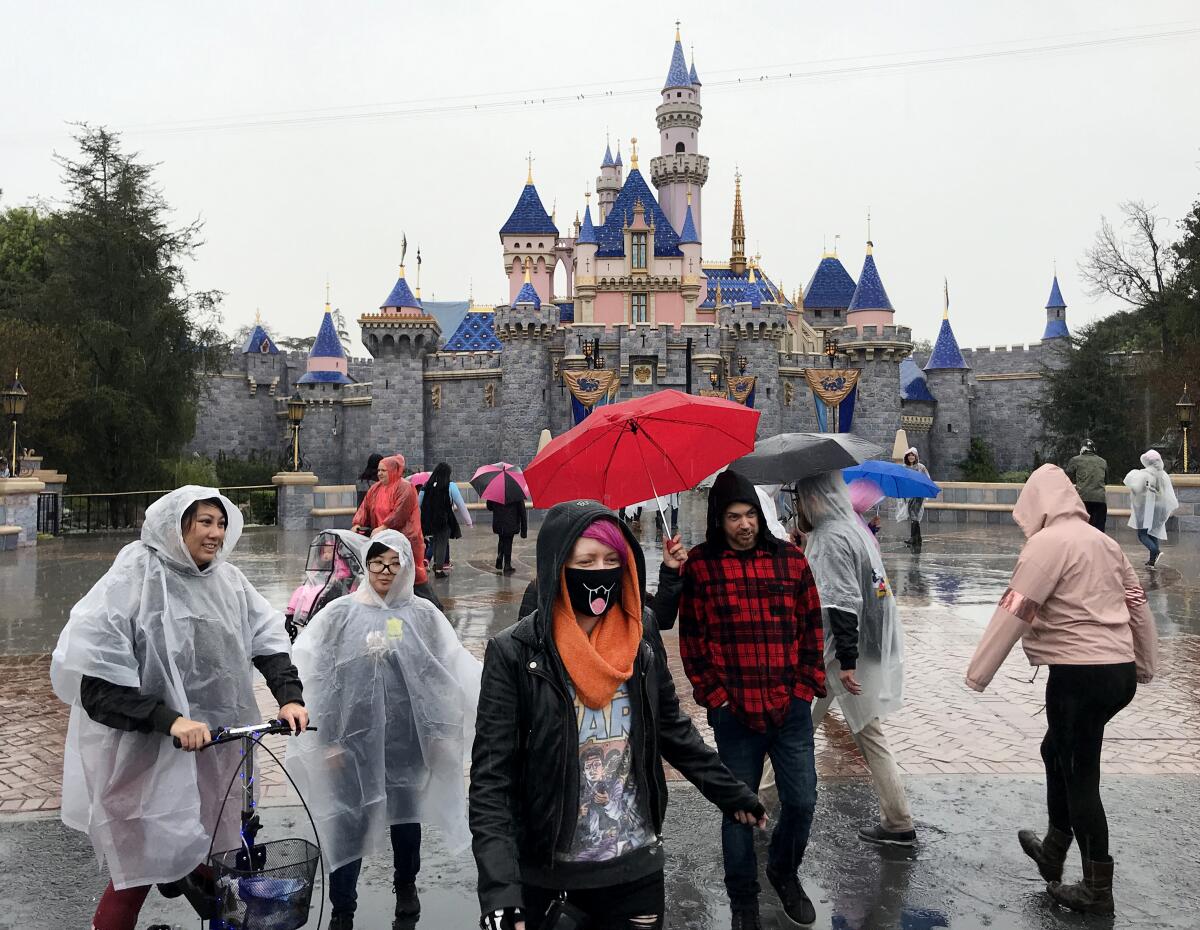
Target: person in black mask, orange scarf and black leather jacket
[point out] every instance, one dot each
(578, 712)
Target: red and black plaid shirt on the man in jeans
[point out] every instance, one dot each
(751, 632)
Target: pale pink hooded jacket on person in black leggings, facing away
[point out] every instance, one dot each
(1075, 598)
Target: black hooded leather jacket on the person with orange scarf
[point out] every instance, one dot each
(525, 766)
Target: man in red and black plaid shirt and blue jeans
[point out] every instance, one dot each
(751, 638)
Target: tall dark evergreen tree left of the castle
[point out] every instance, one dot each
(115, 310)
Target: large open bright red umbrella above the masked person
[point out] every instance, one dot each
(634, 451)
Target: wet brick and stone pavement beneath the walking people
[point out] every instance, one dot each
(971, 760)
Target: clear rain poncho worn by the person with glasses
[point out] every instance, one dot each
(393, 694)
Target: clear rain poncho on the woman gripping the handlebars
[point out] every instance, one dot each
(187, 637)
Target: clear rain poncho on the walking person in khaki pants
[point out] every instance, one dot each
(849, 571)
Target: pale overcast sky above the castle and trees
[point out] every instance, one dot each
(985, 140)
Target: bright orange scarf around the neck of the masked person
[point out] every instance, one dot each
(598, 664)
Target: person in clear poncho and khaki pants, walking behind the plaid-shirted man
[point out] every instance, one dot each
(863, 641)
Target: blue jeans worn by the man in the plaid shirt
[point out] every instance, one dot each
(743, 752)
